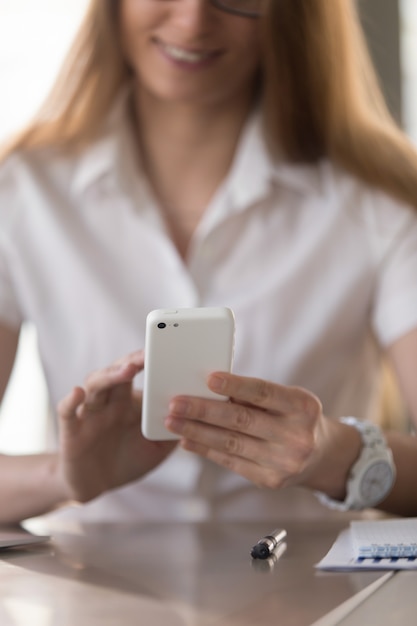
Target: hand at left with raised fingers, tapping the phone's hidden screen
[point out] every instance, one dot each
(101, 444)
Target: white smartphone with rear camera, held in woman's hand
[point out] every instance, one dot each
(182, 347)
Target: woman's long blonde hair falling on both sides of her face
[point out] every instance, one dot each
(319, 92)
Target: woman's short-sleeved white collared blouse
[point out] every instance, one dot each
(320, 270)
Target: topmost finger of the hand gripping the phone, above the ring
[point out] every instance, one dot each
(264, 394)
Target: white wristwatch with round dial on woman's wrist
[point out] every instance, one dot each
(372, 476)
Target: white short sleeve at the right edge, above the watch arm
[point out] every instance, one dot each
(395, 298)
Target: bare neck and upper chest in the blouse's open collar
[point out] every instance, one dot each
(186, 152)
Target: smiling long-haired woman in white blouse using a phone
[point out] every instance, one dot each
(201, 153)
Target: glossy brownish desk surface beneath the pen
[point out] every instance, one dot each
(173, 575)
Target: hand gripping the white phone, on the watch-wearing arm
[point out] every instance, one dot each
(268, 433)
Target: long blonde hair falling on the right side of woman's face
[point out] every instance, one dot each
(322, 97)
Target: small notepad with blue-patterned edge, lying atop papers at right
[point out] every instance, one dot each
(390, 538)
